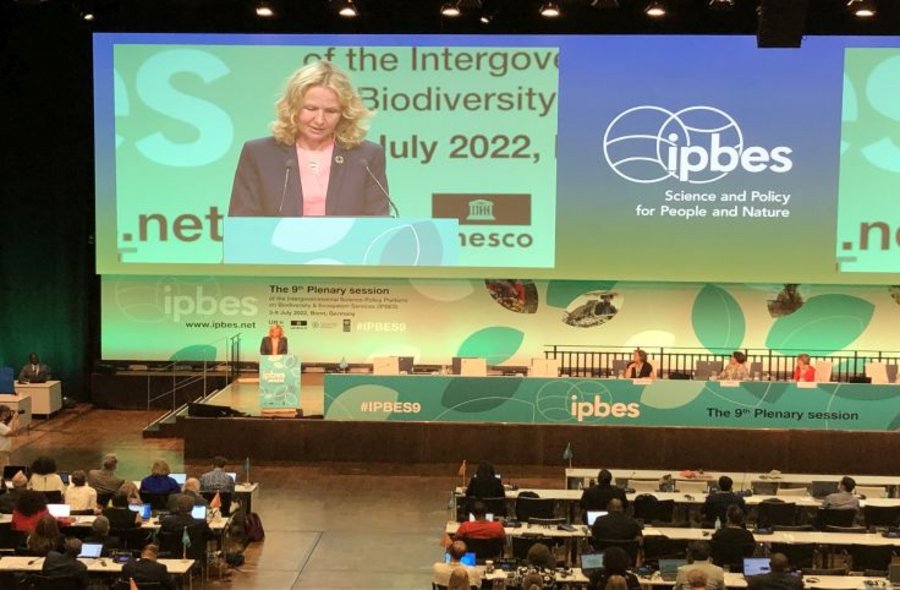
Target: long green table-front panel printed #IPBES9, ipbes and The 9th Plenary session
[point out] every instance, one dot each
(751, 404)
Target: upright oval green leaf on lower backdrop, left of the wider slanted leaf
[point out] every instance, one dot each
(718, 320)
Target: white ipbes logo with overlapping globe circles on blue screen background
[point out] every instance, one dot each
(697, 145)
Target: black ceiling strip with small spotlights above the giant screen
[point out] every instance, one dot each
(423, 16)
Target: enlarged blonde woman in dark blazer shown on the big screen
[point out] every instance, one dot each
(317, 162)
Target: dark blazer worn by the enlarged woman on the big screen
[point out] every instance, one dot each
(259, 181)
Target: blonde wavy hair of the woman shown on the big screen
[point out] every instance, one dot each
(350, 130)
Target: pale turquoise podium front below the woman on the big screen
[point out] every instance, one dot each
(341, 240)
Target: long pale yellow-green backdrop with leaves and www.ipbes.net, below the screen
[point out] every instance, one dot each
(506, 321)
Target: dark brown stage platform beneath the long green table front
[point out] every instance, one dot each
(314, 440)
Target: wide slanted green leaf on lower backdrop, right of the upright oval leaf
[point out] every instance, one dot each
(825, 324)
